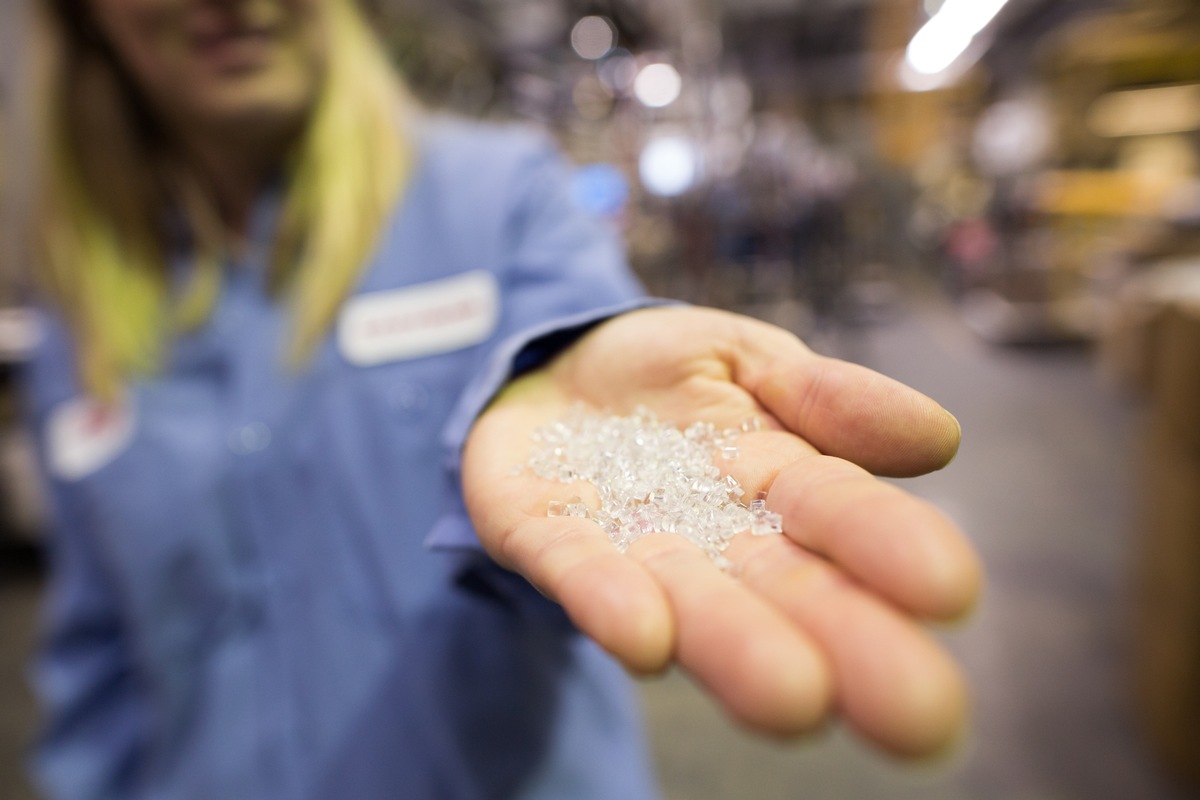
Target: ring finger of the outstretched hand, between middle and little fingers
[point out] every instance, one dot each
(763, 670)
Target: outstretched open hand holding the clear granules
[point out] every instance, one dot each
(826, 618)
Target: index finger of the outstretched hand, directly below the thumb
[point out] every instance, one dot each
(902, 548)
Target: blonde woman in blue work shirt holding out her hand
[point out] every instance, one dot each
(289, 536)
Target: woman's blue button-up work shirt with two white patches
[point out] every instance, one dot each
(265, 582)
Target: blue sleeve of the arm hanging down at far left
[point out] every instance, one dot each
(95, 719)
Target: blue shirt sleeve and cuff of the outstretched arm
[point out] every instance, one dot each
(566, 273)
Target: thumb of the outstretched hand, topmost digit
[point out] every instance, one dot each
(845, 410)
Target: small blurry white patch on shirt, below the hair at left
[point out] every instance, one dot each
(83, 435)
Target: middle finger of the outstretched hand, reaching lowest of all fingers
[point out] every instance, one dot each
(893, 684)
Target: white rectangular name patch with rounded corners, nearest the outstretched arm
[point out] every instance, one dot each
(421, 321)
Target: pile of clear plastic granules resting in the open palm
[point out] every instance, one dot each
(652, 477)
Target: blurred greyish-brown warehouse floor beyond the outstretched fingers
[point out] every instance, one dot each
(1043, 486)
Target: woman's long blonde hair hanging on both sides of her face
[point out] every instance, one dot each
(100, 225)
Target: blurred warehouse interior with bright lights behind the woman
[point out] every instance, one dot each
(995, 202)
